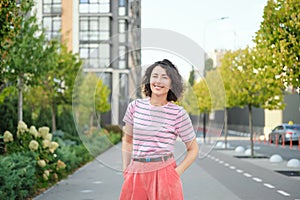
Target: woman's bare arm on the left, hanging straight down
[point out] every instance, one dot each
(126, 145)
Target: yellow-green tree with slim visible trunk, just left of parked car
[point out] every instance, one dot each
(257, 84)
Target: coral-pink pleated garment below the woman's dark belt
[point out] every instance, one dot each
(152, 181)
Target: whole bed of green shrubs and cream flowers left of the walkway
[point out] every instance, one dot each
(27, 169)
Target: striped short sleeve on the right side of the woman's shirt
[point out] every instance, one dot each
(184, 127)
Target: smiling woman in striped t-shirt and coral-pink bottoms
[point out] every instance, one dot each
(151, 128)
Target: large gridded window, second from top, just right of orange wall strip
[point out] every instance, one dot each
(93, 29)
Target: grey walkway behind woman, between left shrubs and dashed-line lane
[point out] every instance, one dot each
(102, 179)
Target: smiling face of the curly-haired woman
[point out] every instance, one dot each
(160, 82)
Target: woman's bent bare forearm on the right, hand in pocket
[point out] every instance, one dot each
(192, 153)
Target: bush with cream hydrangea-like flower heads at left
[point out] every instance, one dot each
(49, 168)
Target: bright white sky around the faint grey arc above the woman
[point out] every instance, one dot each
(200, 21)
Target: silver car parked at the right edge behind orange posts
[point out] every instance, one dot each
(285, 132)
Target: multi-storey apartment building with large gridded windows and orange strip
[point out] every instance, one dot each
(106, 35)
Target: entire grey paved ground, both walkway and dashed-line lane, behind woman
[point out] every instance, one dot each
(217, 174)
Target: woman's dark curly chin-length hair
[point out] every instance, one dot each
(176, 80)
